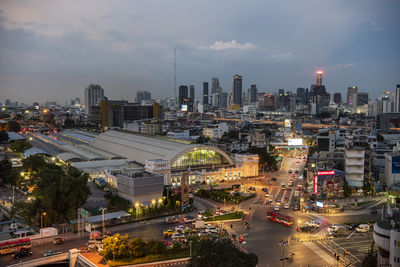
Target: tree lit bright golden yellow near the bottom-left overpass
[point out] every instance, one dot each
(115, 247)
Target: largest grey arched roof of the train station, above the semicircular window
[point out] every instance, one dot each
(139, 148)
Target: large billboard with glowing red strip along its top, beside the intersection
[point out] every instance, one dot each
(330, 183)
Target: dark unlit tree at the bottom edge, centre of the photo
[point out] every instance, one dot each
(221, 253)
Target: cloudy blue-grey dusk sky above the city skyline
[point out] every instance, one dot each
(51, 50)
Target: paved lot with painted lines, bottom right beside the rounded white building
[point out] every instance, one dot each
(356, 244)
